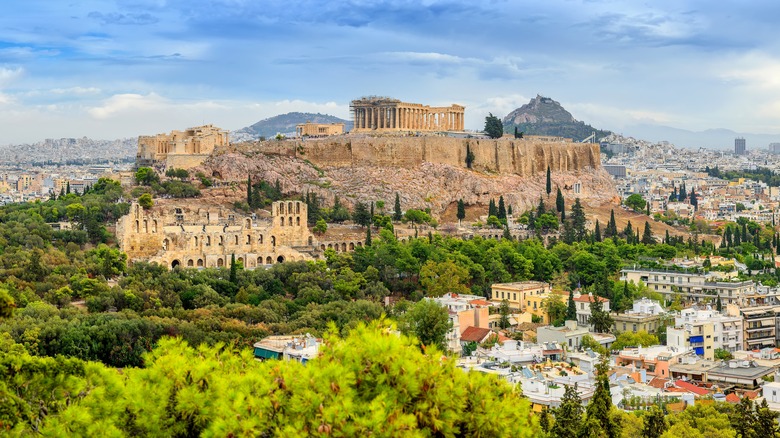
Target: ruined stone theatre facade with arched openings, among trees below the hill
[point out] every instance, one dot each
(208, 237)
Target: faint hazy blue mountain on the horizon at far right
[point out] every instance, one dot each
(710, 138)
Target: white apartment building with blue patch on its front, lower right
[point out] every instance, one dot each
(704, 331)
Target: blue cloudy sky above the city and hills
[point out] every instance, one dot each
(123, 68)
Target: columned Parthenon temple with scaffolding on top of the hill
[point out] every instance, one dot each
(387, 114)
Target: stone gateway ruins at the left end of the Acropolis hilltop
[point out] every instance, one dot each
(180, 149)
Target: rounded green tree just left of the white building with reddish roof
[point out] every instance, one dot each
(429, 322)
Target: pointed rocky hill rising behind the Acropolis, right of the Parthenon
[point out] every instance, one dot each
(544, 116)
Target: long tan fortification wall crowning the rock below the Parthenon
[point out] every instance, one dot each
(524, 157)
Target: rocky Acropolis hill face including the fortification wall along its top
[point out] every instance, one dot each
(427, 172)
